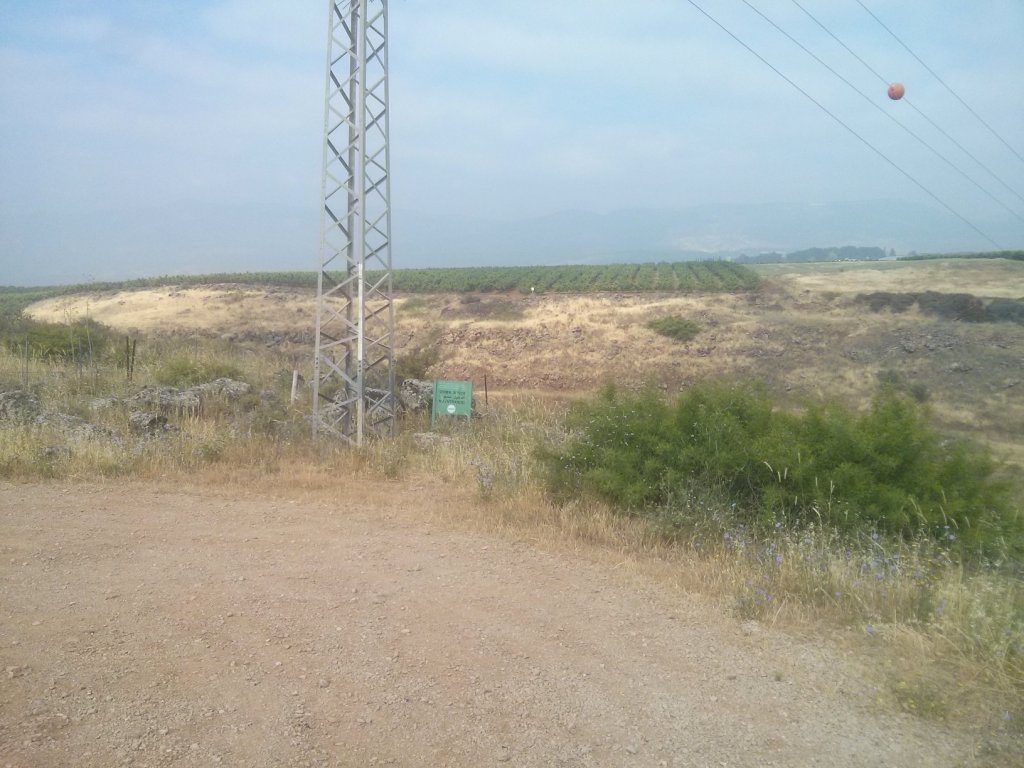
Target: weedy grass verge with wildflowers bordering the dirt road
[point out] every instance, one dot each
(946, 633)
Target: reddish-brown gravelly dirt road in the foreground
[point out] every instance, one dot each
(151, 627)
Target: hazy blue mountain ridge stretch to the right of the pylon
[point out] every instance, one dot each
(700, 232)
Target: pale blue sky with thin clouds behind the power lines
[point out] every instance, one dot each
(150, 138)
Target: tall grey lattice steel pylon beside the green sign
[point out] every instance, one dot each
(354, 366)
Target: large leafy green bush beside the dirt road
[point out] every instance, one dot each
(886, 470)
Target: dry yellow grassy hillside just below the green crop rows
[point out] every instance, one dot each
(802, 334)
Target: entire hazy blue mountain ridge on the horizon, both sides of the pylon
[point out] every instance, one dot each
(187, 238)
